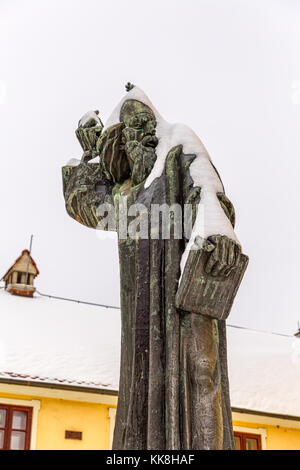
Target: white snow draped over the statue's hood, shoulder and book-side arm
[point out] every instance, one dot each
(211, 219)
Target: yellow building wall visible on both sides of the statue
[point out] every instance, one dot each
(57, 415)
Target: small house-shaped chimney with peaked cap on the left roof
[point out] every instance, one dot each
(19, 279)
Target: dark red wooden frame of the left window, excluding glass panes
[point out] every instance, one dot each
(8, 429)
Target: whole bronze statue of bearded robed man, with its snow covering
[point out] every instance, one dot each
(180, 266)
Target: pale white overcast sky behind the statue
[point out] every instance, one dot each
(229, 69)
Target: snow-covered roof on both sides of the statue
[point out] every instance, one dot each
(55, 341)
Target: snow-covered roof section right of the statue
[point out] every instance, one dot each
(264, 371)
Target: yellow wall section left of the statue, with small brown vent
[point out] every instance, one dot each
(57, 415)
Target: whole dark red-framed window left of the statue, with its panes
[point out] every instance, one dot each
(15, 427)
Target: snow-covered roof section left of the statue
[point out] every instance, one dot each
(58, 341)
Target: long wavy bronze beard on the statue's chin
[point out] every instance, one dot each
(141, 157)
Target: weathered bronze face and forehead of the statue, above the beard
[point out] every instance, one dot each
(140, 123)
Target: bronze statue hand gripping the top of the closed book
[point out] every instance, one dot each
(224, 257)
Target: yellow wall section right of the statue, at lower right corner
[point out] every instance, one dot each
(278, 437)
